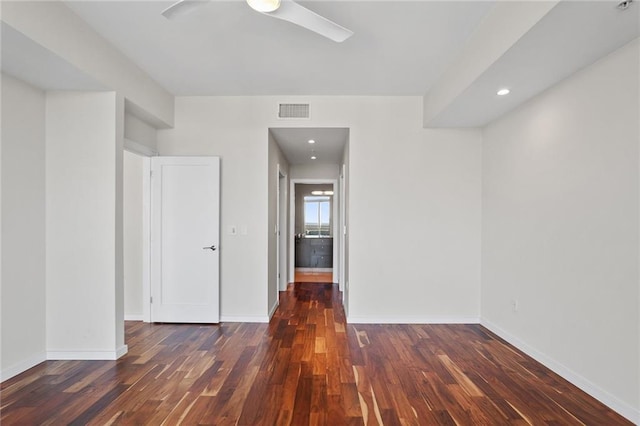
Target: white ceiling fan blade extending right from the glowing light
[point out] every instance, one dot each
(292, 12)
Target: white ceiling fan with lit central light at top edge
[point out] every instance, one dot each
(286, 10)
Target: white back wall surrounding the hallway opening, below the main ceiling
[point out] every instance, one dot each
(428, 245)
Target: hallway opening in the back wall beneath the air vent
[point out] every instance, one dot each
(309, 155)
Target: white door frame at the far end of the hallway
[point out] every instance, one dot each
(334, 215)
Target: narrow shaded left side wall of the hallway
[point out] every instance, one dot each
(276, 157)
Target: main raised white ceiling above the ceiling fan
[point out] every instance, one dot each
(225, 48)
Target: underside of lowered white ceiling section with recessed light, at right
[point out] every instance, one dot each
(573, 35)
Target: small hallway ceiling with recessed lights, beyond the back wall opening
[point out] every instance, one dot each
(328, 147)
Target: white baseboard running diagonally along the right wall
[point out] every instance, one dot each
(621, 407)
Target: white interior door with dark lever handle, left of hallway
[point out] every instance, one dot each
(185, 198)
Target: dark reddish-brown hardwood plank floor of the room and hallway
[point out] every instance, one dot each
(306, 367)
